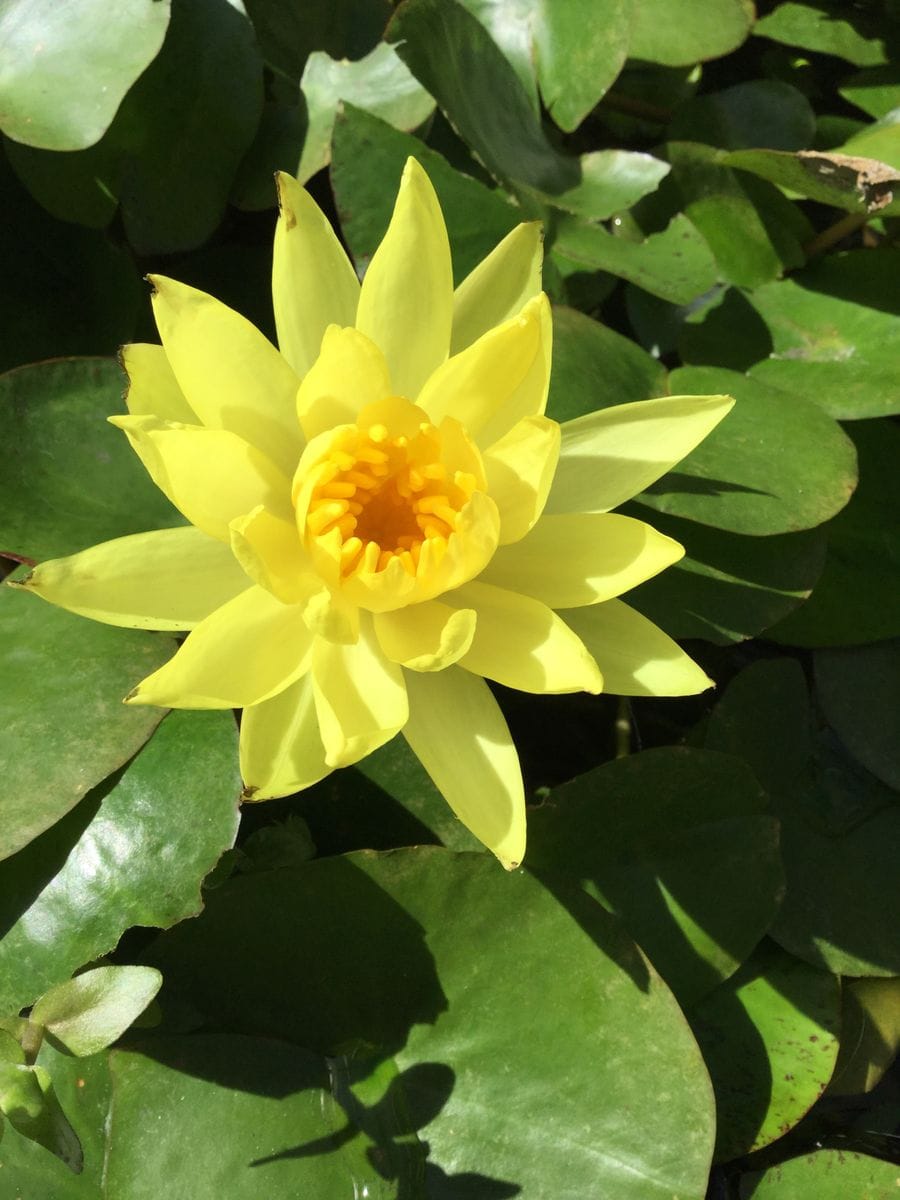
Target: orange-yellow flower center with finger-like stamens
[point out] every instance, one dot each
(387, 495)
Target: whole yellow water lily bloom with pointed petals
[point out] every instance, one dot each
(381, 515)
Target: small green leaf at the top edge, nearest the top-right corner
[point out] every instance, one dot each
(827, 28)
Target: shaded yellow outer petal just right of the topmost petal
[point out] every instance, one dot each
(500, 286)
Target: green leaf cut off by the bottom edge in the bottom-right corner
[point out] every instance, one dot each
(825, 1175)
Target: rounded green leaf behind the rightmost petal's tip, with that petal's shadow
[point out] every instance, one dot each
(776, 465)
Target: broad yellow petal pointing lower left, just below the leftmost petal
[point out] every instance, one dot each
(245, 652)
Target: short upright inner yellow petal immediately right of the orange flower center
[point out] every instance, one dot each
(520, 471)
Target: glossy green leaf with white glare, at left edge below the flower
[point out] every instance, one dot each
(133, 854)
